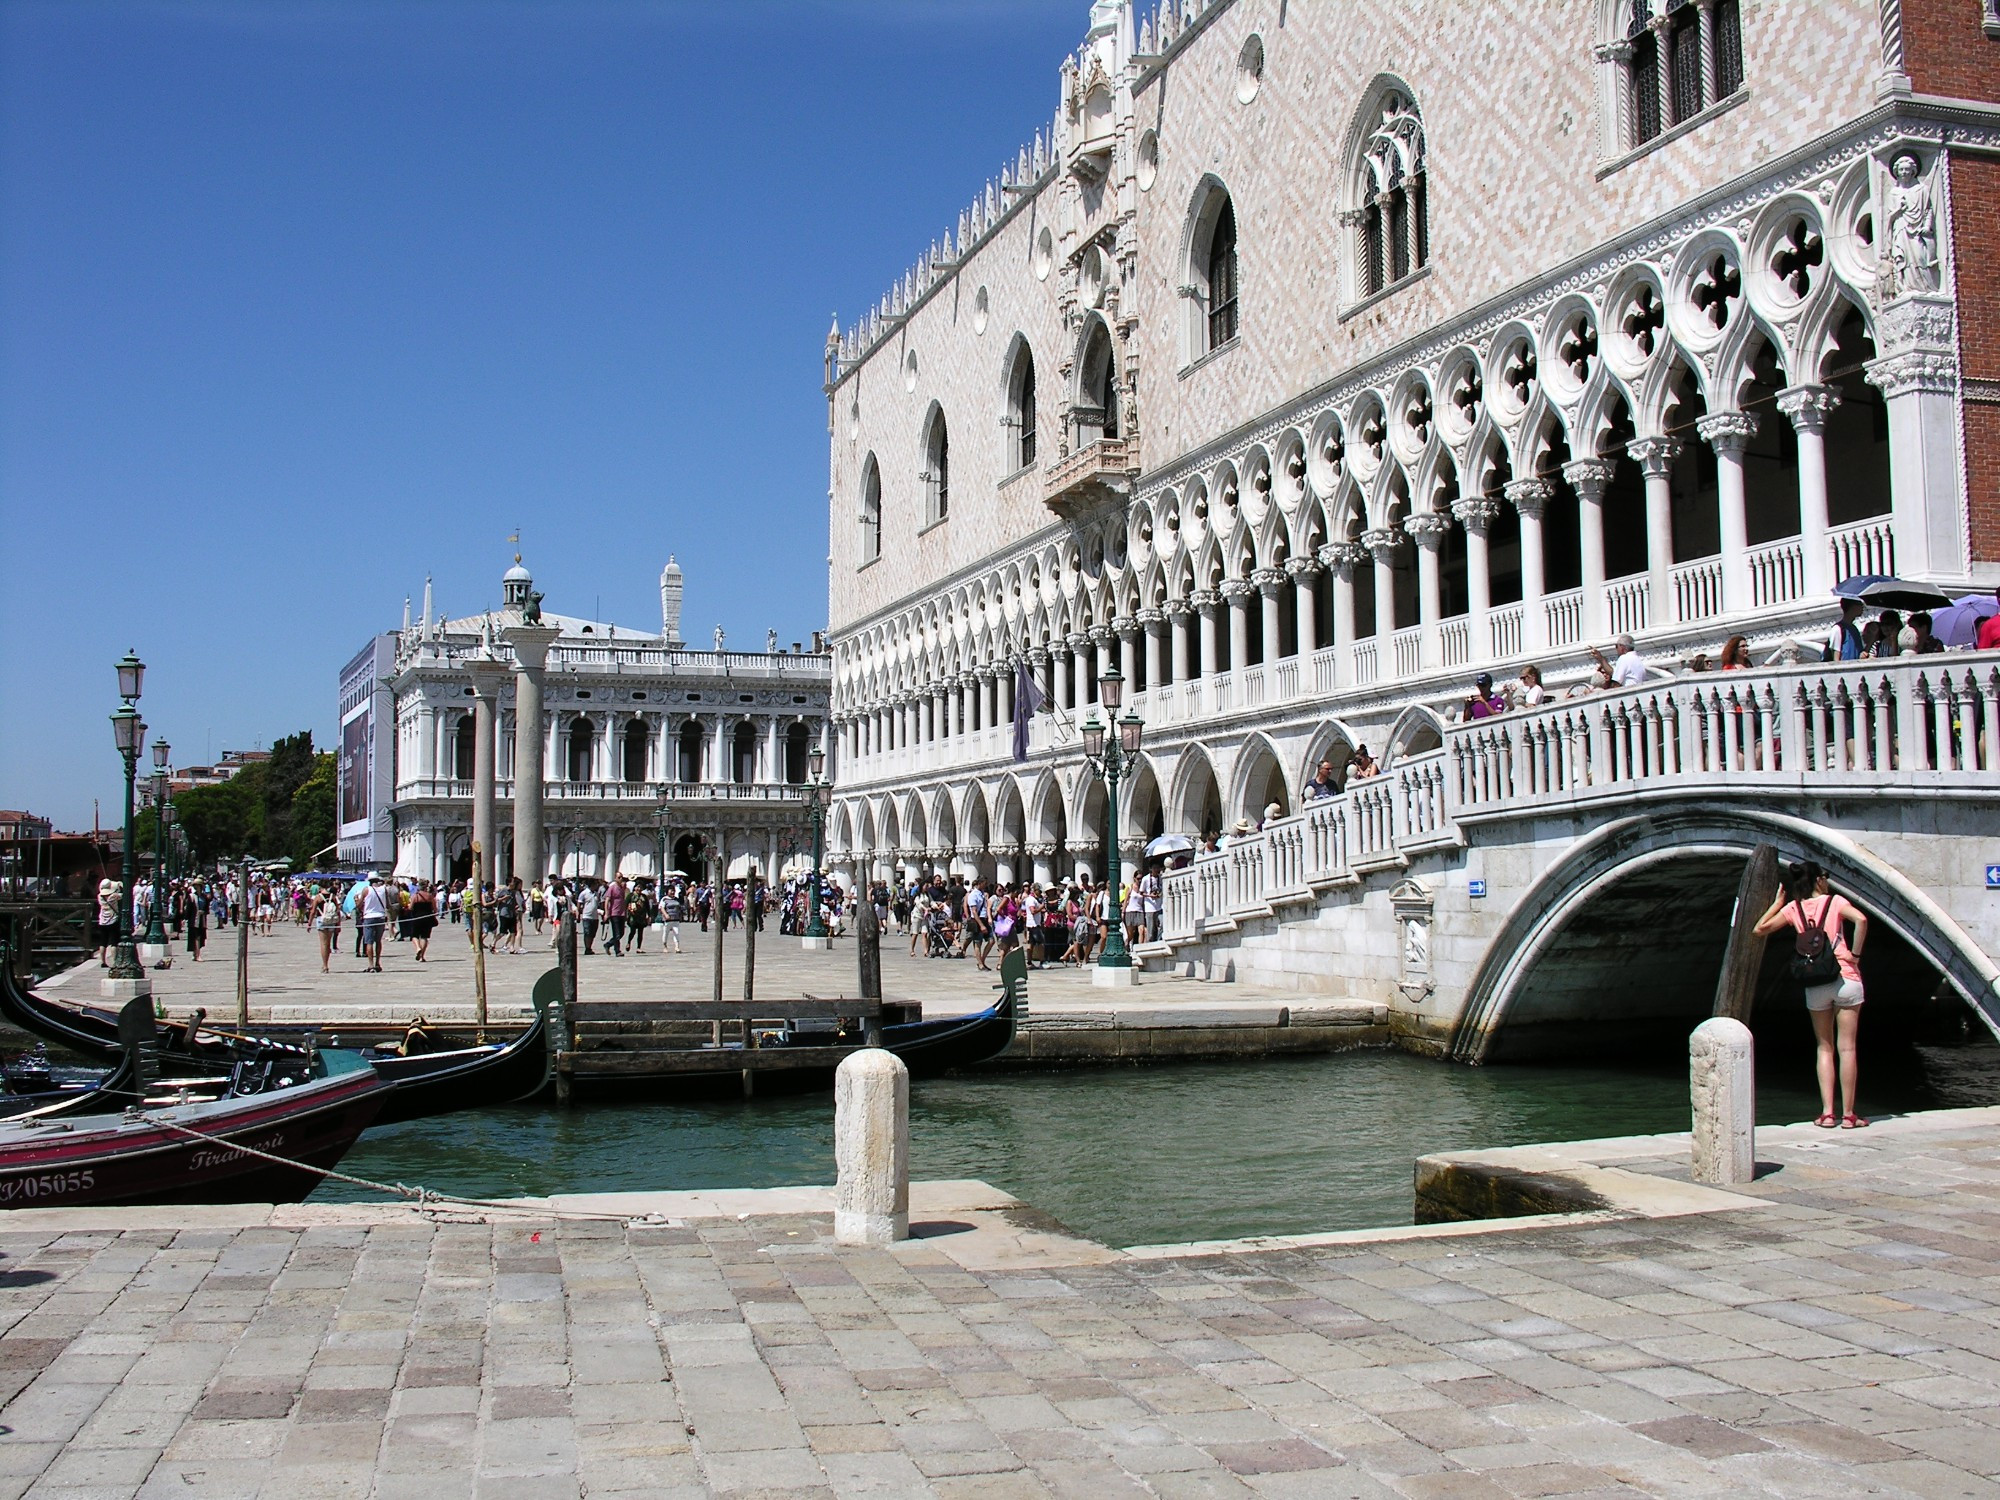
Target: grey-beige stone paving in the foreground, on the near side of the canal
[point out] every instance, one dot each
(1831, 1333)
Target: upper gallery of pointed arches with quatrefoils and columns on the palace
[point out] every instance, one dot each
(1617, 461)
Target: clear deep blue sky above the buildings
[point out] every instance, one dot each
(305, 301)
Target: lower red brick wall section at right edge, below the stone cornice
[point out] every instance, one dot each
(1975, 253)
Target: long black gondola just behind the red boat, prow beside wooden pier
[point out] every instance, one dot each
(429, 1083)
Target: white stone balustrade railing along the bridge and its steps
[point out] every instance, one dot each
(1919, 721)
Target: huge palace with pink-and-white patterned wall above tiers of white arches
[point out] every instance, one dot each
(1319, 359)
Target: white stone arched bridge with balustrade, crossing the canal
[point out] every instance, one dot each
(1579, 863)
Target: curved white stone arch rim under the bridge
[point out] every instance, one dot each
(1629, 847)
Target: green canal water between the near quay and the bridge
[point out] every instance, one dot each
(1133, 1155)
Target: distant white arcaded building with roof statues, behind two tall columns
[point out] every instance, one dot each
(647, 751)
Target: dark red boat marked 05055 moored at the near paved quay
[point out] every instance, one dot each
(189, 1153)
